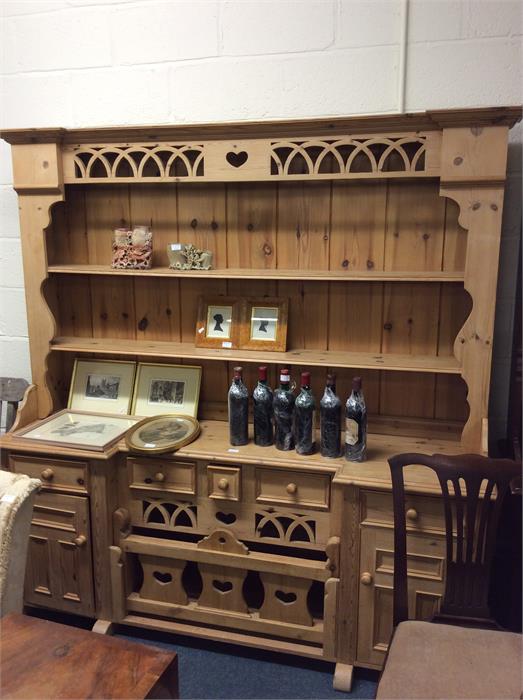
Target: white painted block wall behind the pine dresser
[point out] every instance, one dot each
(76, 63)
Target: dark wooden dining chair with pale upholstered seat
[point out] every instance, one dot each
(460, 658)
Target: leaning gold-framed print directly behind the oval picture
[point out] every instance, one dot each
(166, 389)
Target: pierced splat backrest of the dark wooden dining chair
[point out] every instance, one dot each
(473, 489)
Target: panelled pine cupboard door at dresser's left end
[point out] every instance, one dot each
(59, 571)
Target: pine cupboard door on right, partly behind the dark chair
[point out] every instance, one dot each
(425, 568)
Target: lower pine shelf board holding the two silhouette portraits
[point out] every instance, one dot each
(309, 358)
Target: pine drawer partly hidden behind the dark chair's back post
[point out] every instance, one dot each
(424, 514)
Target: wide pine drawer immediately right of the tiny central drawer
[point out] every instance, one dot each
(292, 488)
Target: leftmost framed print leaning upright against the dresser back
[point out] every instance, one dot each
(102, 386)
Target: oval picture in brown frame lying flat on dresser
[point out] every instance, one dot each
(164, 433)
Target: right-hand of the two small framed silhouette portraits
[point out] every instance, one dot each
(264, 324)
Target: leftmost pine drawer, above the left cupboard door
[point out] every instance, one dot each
(54, 473)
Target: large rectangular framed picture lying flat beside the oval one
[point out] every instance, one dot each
(79, 430)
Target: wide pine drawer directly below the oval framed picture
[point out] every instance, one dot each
(162, 475)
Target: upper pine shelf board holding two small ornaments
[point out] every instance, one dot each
(239, 273)
